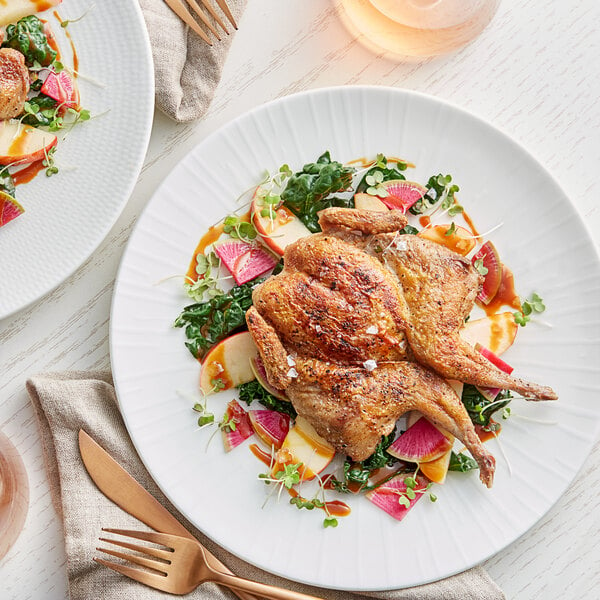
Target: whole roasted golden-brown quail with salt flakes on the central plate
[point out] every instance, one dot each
(370, 321)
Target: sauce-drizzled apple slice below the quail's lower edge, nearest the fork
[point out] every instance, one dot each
(304, 445)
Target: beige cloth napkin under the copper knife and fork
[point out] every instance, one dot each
(67, 402)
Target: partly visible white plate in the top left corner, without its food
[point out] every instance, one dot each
(69, 214)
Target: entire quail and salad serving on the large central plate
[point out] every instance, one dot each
(363, 327)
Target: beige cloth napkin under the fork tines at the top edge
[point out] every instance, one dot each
(186, 69)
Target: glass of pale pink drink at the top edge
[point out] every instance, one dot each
(405, 29)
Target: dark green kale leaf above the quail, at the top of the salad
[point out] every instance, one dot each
(307, 191)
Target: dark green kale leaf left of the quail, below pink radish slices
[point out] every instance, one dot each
(207, 323)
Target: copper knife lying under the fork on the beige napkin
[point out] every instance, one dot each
(120, 487)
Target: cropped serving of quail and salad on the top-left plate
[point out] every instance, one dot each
(39, 97)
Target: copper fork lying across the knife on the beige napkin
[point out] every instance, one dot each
(180, 566)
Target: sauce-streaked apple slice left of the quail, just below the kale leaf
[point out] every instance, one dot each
(227, 364)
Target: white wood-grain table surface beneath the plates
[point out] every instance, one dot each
(535, 72)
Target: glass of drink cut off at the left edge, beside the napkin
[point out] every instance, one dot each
(14, 494)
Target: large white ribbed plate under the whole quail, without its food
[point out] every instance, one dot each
(543, 240)
